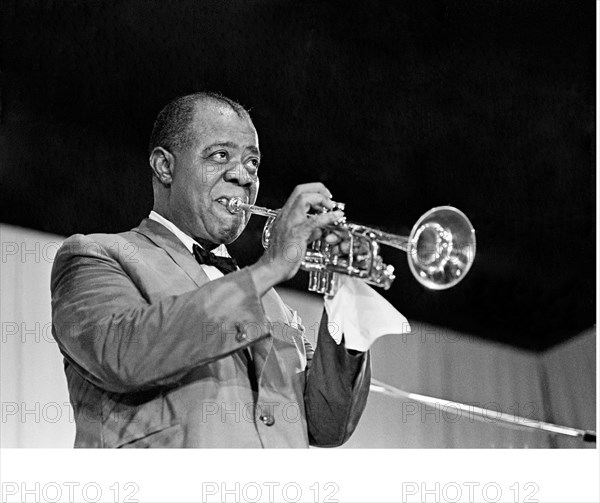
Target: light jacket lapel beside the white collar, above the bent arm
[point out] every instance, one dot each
(165, 239)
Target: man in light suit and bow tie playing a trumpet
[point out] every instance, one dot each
(166, 342)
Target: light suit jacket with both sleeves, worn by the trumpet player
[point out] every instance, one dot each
(153, 353)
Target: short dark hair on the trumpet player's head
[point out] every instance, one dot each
(172, 125)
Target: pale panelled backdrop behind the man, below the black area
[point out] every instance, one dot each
(558, 385)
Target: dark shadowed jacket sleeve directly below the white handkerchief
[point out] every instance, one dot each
(337, 388)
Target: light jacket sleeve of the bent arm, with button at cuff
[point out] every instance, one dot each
(121, 342)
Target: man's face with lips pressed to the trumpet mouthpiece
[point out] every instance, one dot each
(221, 163)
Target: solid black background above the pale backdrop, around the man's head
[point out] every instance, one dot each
(397, 106)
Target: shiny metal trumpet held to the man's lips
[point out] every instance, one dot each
(440, 250)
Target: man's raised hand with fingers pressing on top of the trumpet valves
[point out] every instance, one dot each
(293, 229)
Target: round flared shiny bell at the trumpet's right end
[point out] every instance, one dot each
(441, 248)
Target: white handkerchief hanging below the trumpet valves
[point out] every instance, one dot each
(361, 315)
